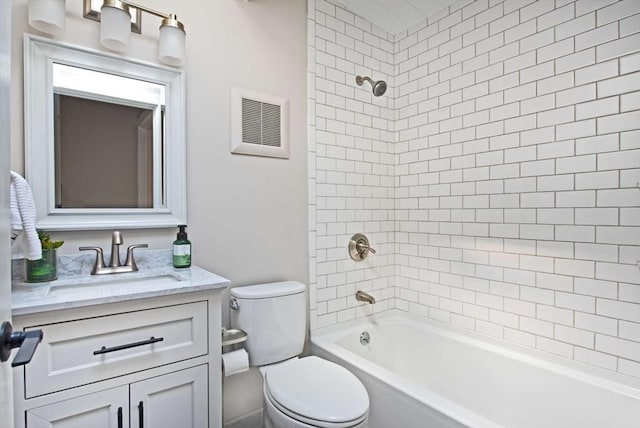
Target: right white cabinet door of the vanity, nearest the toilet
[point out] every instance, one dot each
(179, 399)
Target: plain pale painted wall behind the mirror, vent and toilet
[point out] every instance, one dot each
(246, 214)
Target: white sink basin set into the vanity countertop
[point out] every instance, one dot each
(109, 285)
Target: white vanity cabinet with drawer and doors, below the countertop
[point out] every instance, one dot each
(143, 363)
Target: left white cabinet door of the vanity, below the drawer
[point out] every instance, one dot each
(104, 409)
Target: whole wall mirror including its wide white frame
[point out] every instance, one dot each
(104, 139)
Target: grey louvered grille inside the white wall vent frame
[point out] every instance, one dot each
(260, 123)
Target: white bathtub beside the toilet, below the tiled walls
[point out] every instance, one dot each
(424, 374)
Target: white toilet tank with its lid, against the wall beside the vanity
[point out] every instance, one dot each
(274, 317)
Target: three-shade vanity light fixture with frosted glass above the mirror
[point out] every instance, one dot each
(115, 25)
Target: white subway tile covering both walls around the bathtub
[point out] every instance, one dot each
(498, 177)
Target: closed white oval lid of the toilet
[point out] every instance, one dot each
(317, 391)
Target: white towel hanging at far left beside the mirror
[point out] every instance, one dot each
(23, 218)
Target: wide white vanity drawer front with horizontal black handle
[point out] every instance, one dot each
(89, 350)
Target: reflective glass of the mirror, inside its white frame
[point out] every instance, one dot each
(104, 124)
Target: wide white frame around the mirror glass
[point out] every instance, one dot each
(39, 56)
